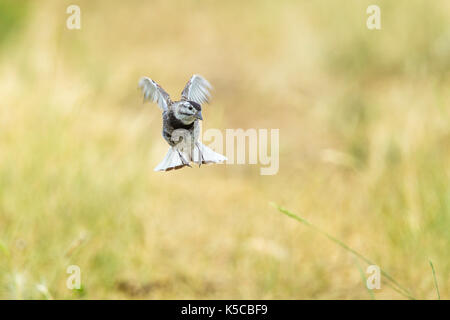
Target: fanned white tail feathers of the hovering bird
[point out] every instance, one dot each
(176, 159)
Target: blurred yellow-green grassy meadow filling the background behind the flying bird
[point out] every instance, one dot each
(364, 149)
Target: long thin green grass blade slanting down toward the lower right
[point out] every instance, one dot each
(396, 286)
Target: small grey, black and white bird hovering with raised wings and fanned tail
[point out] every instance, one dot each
(181, 128)
